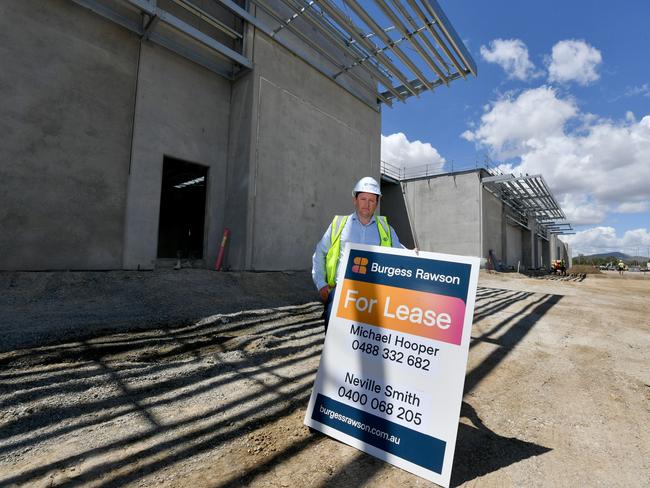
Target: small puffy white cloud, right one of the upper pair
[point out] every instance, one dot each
(573, 60)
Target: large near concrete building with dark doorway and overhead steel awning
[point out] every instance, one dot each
(133, 130)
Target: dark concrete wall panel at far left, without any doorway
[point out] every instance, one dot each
(67, 82)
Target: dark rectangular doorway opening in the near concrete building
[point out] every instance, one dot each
(182, 210)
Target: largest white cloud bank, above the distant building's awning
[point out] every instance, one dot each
(596, 167)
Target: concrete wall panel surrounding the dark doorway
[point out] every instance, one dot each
(182, 111)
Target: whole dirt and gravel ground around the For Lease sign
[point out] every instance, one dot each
(199, 379)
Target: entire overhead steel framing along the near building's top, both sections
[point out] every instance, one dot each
(393, 48)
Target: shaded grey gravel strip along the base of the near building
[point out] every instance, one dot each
(40, 308)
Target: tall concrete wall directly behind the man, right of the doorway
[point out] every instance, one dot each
(311, 142)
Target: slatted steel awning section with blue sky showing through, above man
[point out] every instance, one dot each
(374, 38)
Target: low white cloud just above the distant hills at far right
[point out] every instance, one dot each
(604, 239)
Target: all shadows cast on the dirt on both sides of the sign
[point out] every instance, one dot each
(166, 368)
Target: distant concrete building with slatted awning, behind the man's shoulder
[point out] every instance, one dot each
(512, 223)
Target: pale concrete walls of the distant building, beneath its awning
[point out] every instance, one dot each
(454, 214)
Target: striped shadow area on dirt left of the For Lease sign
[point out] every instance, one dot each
(59, 392)
